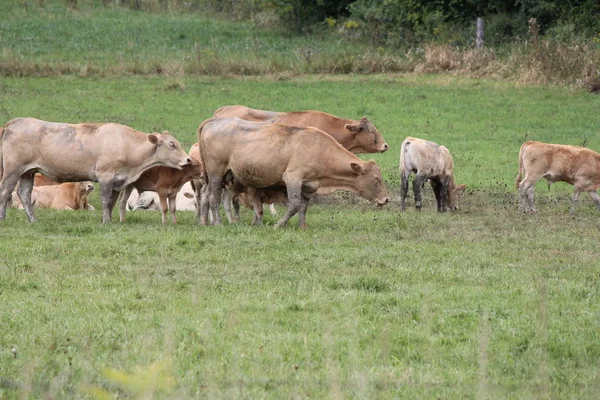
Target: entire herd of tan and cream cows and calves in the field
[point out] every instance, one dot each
(245, 156)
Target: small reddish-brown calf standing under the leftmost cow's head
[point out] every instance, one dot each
(166, 182)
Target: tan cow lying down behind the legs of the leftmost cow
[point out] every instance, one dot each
(64, 196)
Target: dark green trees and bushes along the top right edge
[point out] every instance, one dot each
(413, 21)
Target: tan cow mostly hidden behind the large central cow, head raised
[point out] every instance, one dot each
(356, 136)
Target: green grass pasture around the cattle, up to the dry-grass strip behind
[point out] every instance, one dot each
(367, 303)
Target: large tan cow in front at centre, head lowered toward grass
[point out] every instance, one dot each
(306, 161)
